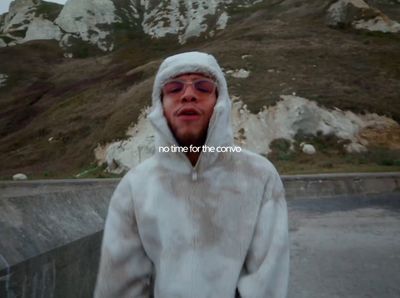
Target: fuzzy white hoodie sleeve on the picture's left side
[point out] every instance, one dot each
(124, 269)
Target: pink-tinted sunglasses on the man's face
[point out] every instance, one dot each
(178, 87)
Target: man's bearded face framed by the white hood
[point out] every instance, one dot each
(188, 103)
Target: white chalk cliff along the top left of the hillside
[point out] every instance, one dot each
(96, 21)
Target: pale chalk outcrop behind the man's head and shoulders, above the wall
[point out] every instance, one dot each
(284, 120)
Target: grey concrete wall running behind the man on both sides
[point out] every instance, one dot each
(51, 230)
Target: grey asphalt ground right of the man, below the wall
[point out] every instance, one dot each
(345, 247)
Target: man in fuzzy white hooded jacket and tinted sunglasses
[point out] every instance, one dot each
(196, 224)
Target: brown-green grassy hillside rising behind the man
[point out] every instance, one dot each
(83, 102)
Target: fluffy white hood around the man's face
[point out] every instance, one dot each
(219, 129)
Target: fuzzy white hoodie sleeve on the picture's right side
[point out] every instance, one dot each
(265, 272)
